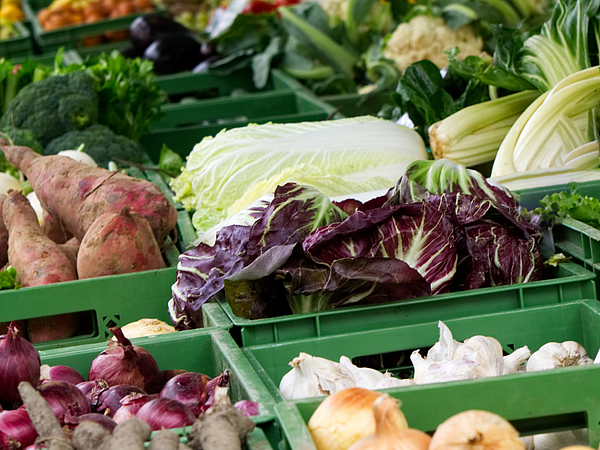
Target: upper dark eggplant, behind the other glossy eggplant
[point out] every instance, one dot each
(149, 27)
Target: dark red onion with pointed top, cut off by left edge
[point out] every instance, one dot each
(19, 361)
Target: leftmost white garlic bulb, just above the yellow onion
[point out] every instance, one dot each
(312, 376)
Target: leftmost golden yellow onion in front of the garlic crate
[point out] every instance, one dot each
(345, 417)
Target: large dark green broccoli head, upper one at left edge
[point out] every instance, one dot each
(54, 106)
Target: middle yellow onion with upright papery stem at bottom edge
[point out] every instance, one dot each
(387, 435)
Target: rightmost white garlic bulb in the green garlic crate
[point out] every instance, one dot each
(555, 354)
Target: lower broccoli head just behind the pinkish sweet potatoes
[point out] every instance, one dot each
(100, 143)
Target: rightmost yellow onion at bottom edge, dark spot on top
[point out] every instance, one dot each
(476, 430)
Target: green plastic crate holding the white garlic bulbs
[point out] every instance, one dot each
(553, 400)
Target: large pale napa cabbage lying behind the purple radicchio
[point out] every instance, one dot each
(226, 173)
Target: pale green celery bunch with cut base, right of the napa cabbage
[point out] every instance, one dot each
(472, 135)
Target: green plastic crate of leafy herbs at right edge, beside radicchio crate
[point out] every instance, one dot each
(572, 237)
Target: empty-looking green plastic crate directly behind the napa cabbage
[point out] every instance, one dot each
(186, 124)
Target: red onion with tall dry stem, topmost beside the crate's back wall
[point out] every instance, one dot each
(123, 363)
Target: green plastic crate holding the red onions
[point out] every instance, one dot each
(205, 351)
